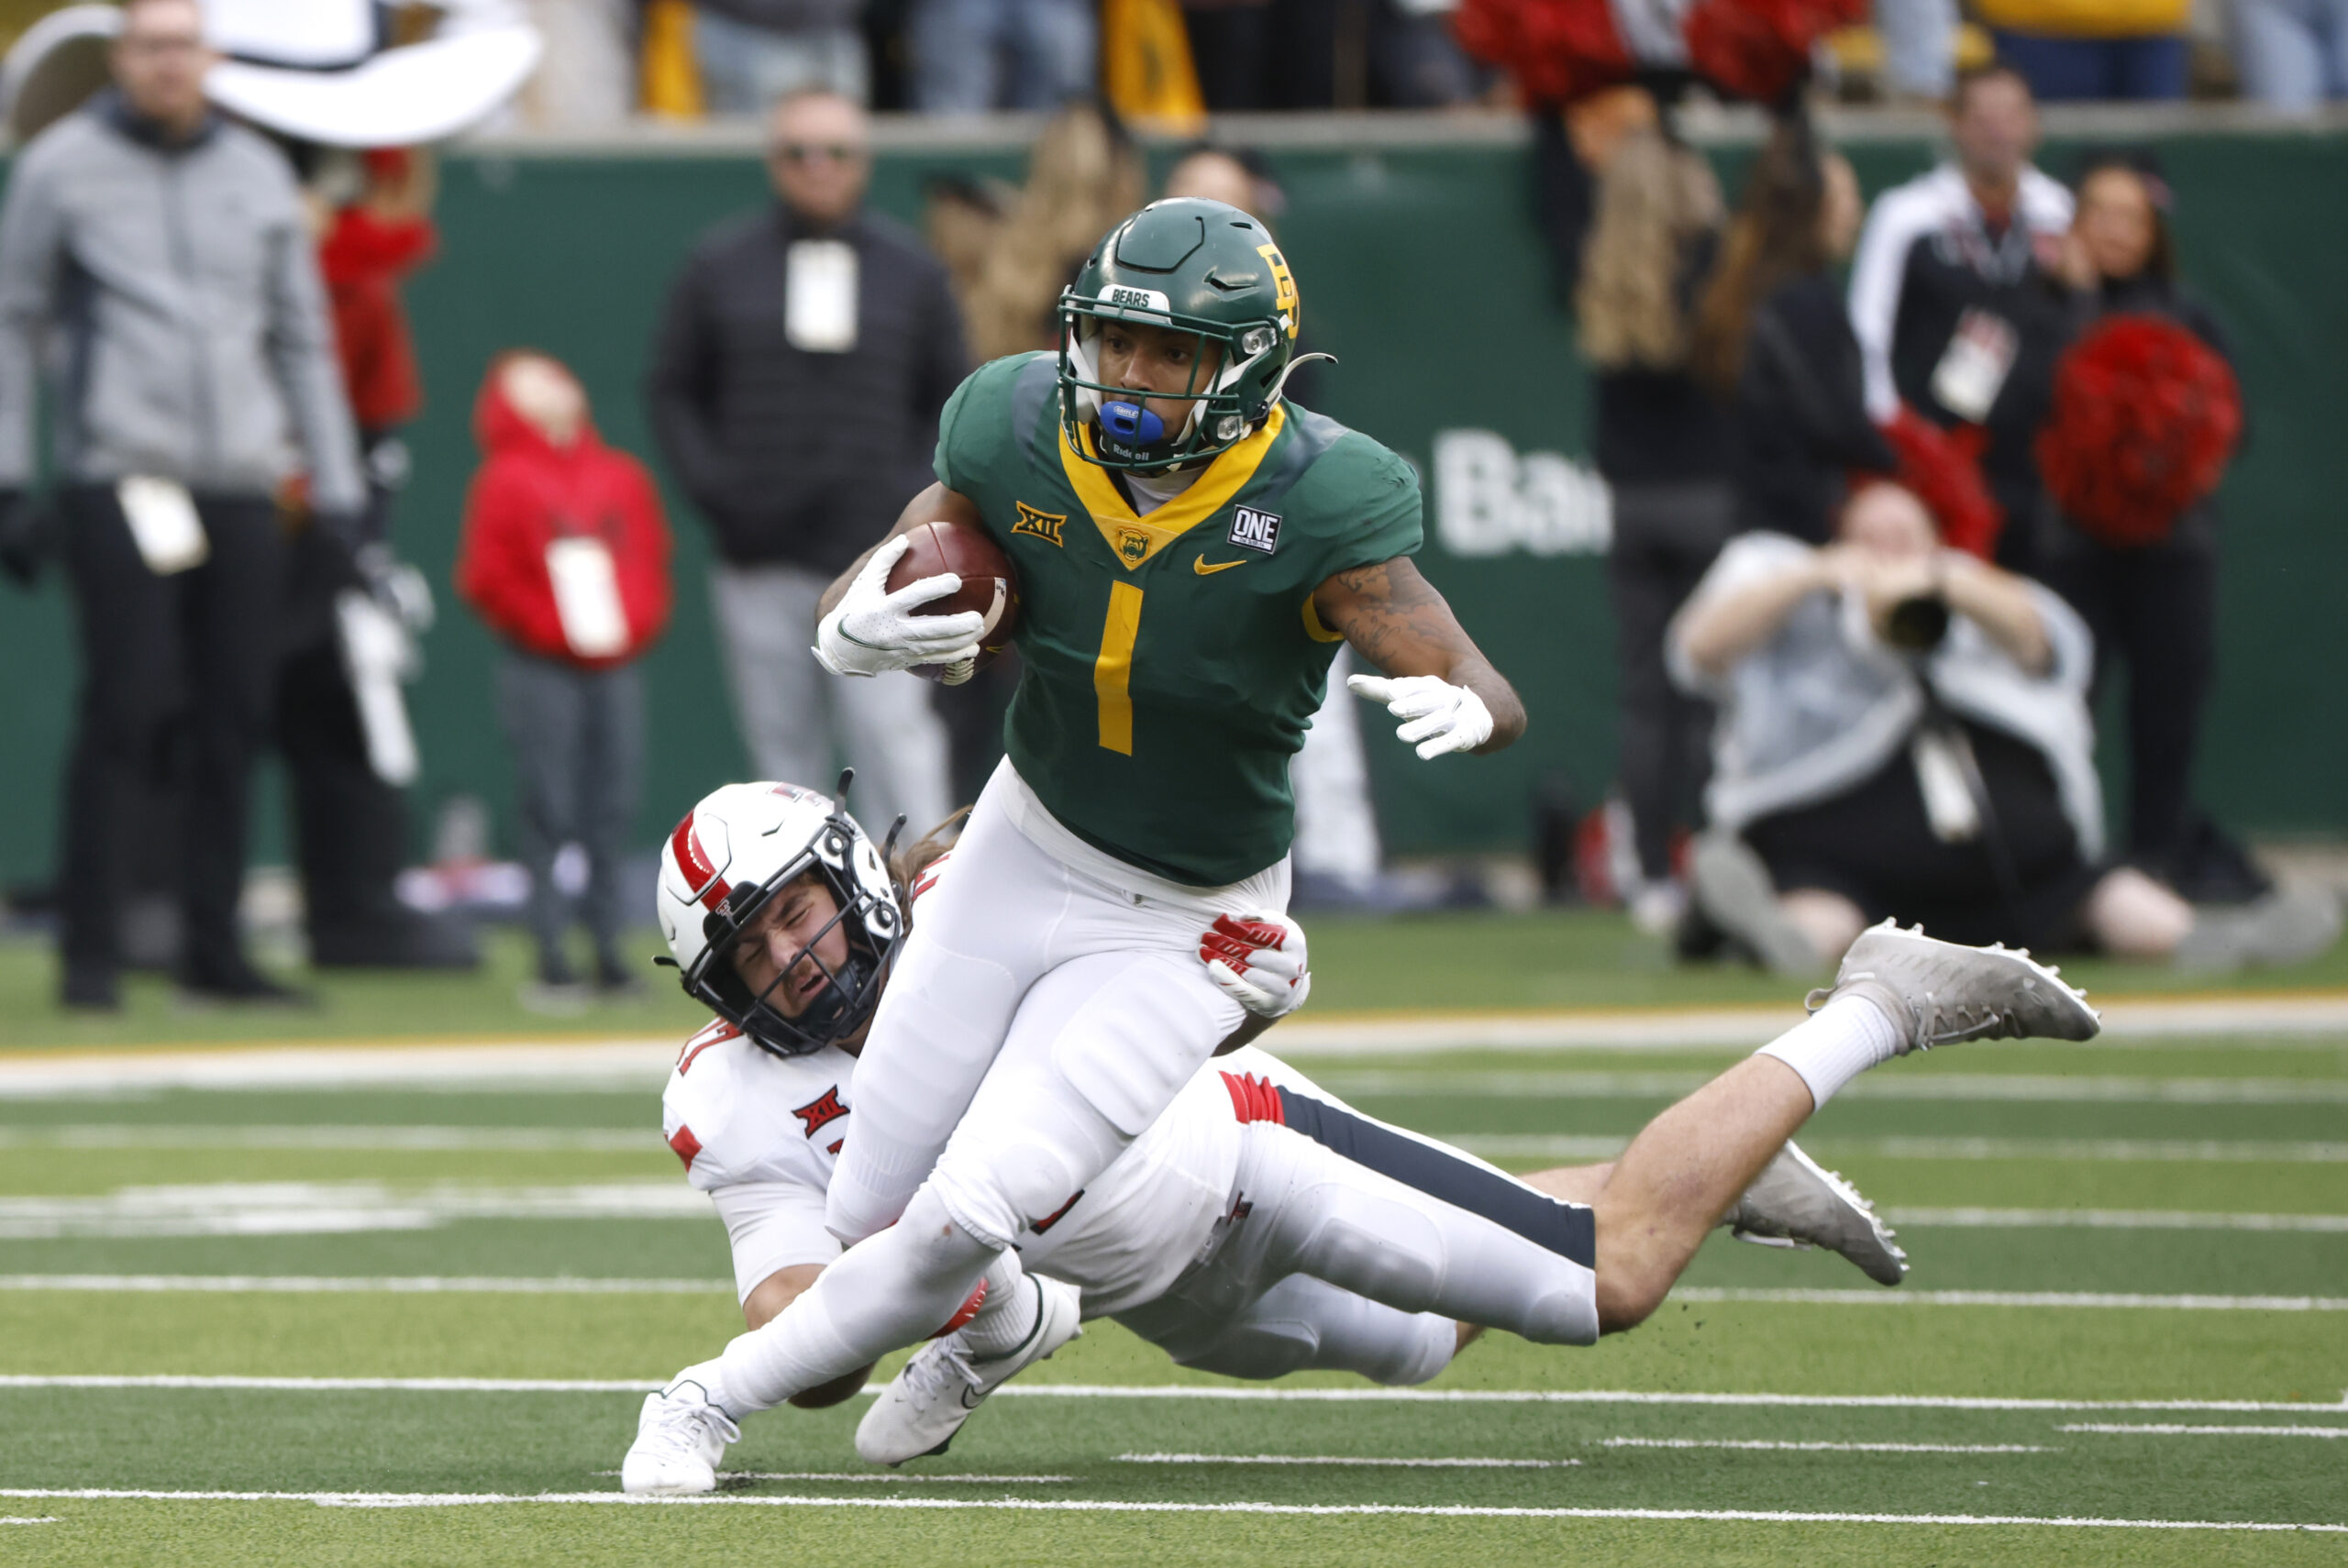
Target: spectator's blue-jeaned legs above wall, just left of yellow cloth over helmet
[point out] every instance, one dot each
(983, 55)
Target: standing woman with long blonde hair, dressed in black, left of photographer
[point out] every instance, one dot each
(1661, 440)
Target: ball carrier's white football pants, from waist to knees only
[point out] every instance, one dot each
(1018, 900)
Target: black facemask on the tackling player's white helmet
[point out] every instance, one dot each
(851, 989)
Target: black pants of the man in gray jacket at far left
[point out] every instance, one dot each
(189, 656)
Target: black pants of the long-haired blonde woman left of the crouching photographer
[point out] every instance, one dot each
(1664, 541)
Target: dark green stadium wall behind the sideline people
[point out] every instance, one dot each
(1424, 276)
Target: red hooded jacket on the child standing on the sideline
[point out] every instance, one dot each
(529, 494)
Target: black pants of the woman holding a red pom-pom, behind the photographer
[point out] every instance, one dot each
(2154, 609)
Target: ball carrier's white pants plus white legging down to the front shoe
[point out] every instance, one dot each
(1046, 1008)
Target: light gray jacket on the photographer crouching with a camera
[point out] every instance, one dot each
(1823, 705)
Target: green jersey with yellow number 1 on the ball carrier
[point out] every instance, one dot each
(1173, 658)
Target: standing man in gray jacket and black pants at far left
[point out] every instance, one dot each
(194, 363)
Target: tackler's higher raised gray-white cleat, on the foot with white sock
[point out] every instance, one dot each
(1943, 994)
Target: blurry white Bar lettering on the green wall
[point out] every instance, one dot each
(1492, 501)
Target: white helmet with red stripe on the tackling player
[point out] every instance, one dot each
(734, 853)
